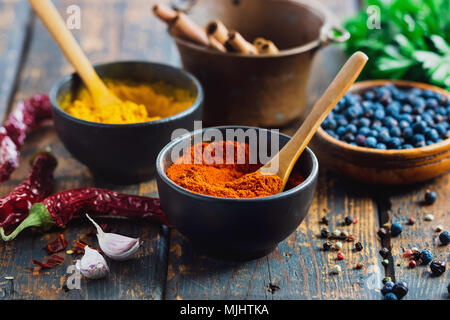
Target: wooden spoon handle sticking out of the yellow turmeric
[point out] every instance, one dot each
(57, 28)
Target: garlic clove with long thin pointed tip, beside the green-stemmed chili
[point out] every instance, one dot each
(116, 246)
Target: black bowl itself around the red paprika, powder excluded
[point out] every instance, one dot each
(235, 228)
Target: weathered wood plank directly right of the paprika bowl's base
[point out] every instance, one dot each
(301, 269)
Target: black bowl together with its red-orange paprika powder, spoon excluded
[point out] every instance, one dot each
(211, 194)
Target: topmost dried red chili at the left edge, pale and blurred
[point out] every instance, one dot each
(28, 114)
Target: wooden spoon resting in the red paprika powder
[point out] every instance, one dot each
(288, 156)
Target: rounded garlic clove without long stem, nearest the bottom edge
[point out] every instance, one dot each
(92, 265)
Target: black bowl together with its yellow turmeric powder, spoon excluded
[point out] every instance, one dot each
(121, 142)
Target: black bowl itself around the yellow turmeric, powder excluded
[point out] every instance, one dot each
(123, 153)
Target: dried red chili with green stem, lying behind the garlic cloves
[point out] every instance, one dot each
(60, 208)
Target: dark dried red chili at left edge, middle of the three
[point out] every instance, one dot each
(15, 206)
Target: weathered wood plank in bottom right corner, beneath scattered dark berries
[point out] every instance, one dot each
(406, 203)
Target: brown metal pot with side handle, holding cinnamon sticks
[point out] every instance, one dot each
(263, 90)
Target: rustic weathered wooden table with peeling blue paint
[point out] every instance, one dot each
(167, 266)
